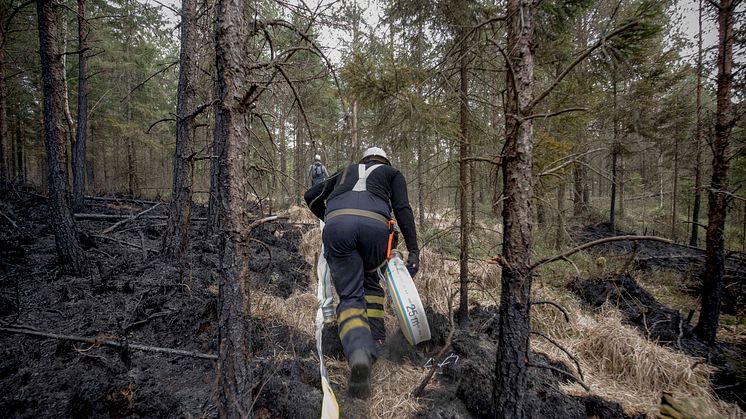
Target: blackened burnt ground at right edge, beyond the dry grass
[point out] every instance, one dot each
(660, 323)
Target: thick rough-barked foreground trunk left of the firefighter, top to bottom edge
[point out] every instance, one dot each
(234, 374)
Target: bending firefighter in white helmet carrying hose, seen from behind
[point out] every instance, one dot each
(357, 203)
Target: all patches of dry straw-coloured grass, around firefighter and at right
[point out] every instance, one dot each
(618, 363)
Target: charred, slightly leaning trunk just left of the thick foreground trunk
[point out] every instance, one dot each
(176, 238)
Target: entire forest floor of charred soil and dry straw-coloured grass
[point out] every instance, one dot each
(134, 297)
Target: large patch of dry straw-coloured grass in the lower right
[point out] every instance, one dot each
(619, 364)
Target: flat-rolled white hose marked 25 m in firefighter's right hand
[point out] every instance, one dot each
(406, 301)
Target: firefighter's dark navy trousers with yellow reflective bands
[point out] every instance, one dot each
(355, 246)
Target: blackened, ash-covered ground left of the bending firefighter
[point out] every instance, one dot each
(131, 295)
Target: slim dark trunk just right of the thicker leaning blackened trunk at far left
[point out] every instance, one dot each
(79, 162)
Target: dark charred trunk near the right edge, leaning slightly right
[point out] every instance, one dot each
(717, 196)
